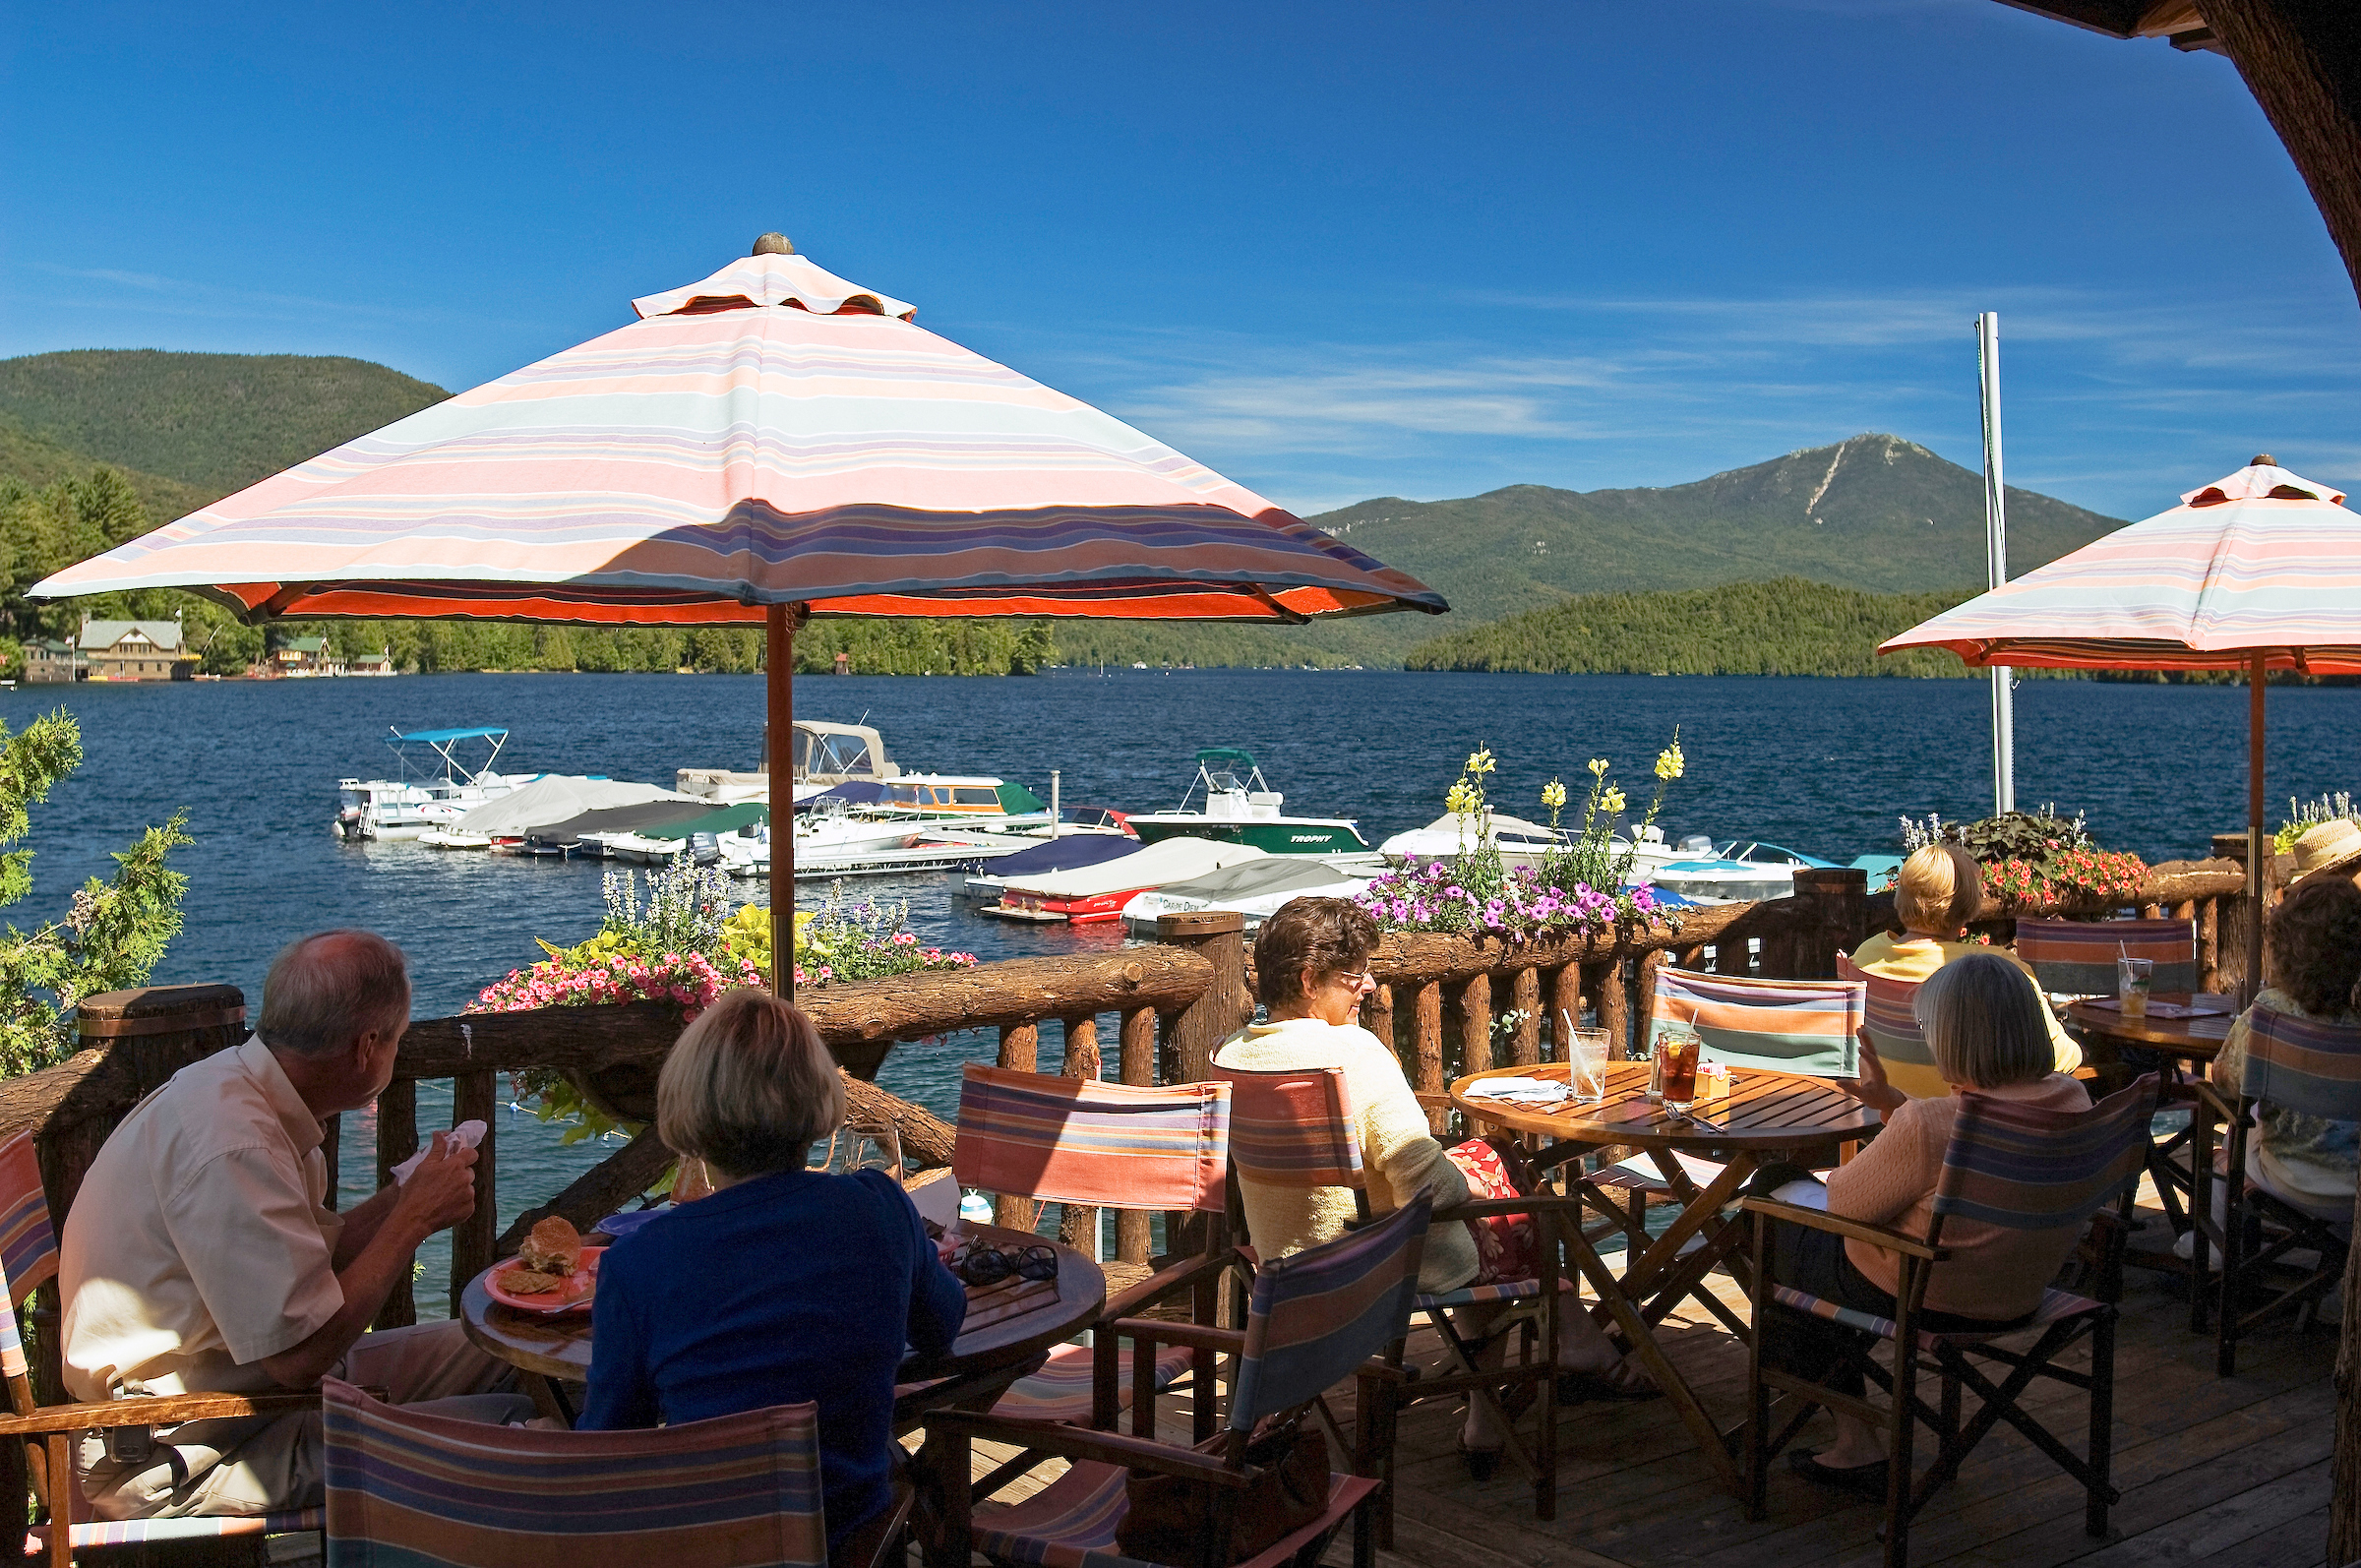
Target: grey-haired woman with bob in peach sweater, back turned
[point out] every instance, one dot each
(1987, 1033)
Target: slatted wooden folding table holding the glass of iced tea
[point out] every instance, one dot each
(1770, 1116)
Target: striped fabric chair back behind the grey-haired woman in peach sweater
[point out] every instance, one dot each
(2039, 1170)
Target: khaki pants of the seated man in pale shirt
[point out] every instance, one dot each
(263, 1465)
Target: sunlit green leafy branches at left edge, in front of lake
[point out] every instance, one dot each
(115, 932)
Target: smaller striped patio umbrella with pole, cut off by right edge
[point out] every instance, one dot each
(2256, 573)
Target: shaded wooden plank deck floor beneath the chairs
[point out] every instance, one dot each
(2225, 1472)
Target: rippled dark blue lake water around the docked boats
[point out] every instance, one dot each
(1822, 766)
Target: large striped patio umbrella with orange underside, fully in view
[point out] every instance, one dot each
(759, 447)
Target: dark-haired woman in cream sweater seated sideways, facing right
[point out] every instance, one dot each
(1312, 972)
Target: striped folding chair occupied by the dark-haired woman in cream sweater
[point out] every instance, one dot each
(1295, 1130)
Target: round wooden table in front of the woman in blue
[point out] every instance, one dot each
(986, 1359)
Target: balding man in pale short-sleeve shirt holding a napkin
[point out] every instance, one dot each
(202, 1257)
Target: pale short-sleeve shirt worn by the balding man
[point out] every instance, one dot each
(200, 1241)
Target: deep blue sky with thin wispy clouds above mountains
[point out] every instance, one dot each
(1333, 249)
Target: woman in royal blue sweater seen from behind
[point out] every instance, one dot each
(783, 1286)
